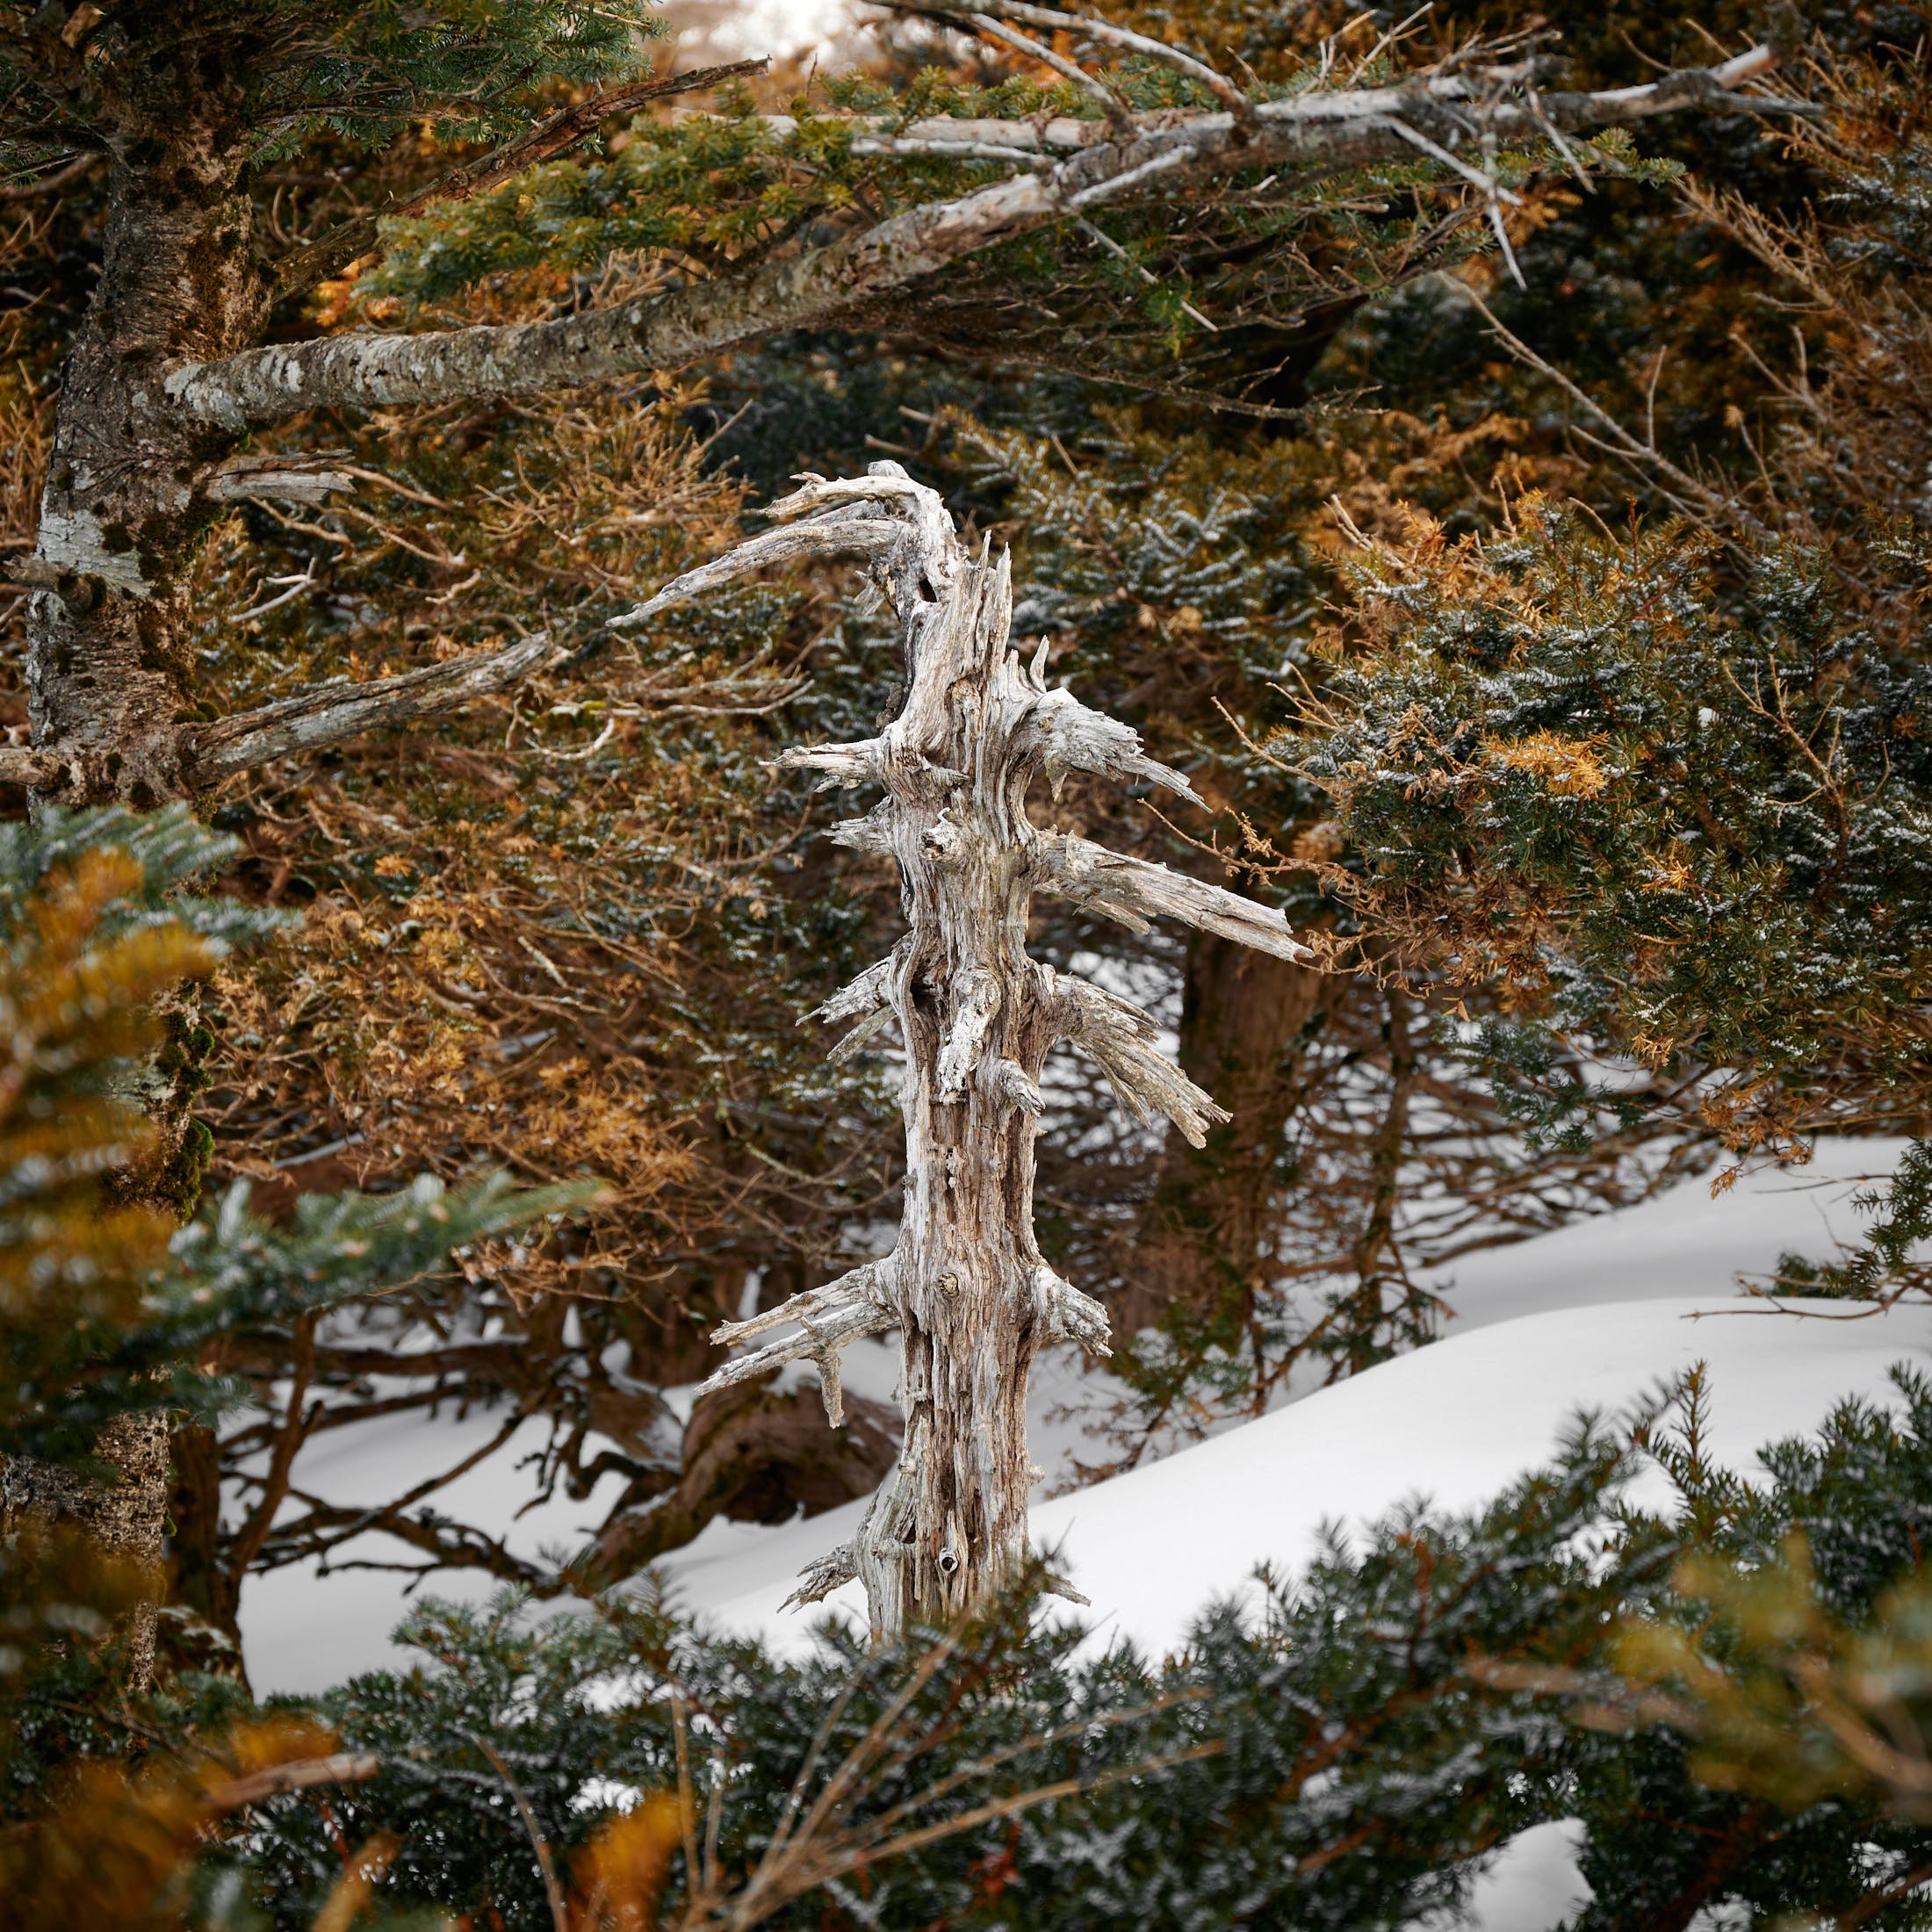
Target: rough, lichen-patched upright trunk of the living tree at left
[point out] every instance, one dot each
(109, 671)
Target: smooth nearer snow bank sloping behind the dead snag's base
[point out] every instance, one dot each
(1452, 1423)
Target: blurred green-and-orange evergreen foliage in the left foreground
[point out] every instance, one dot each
(111, 1317)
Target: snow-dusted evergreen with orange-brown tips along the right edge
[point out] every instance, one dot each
(1662, 793)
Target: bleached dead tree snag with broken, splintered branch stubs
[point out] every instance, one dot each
(967, 1286)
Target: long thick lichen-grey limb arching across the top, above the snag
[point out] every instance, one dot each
(1156, 156)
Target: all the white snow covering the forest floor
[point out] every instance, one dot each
(1589, 1319)
